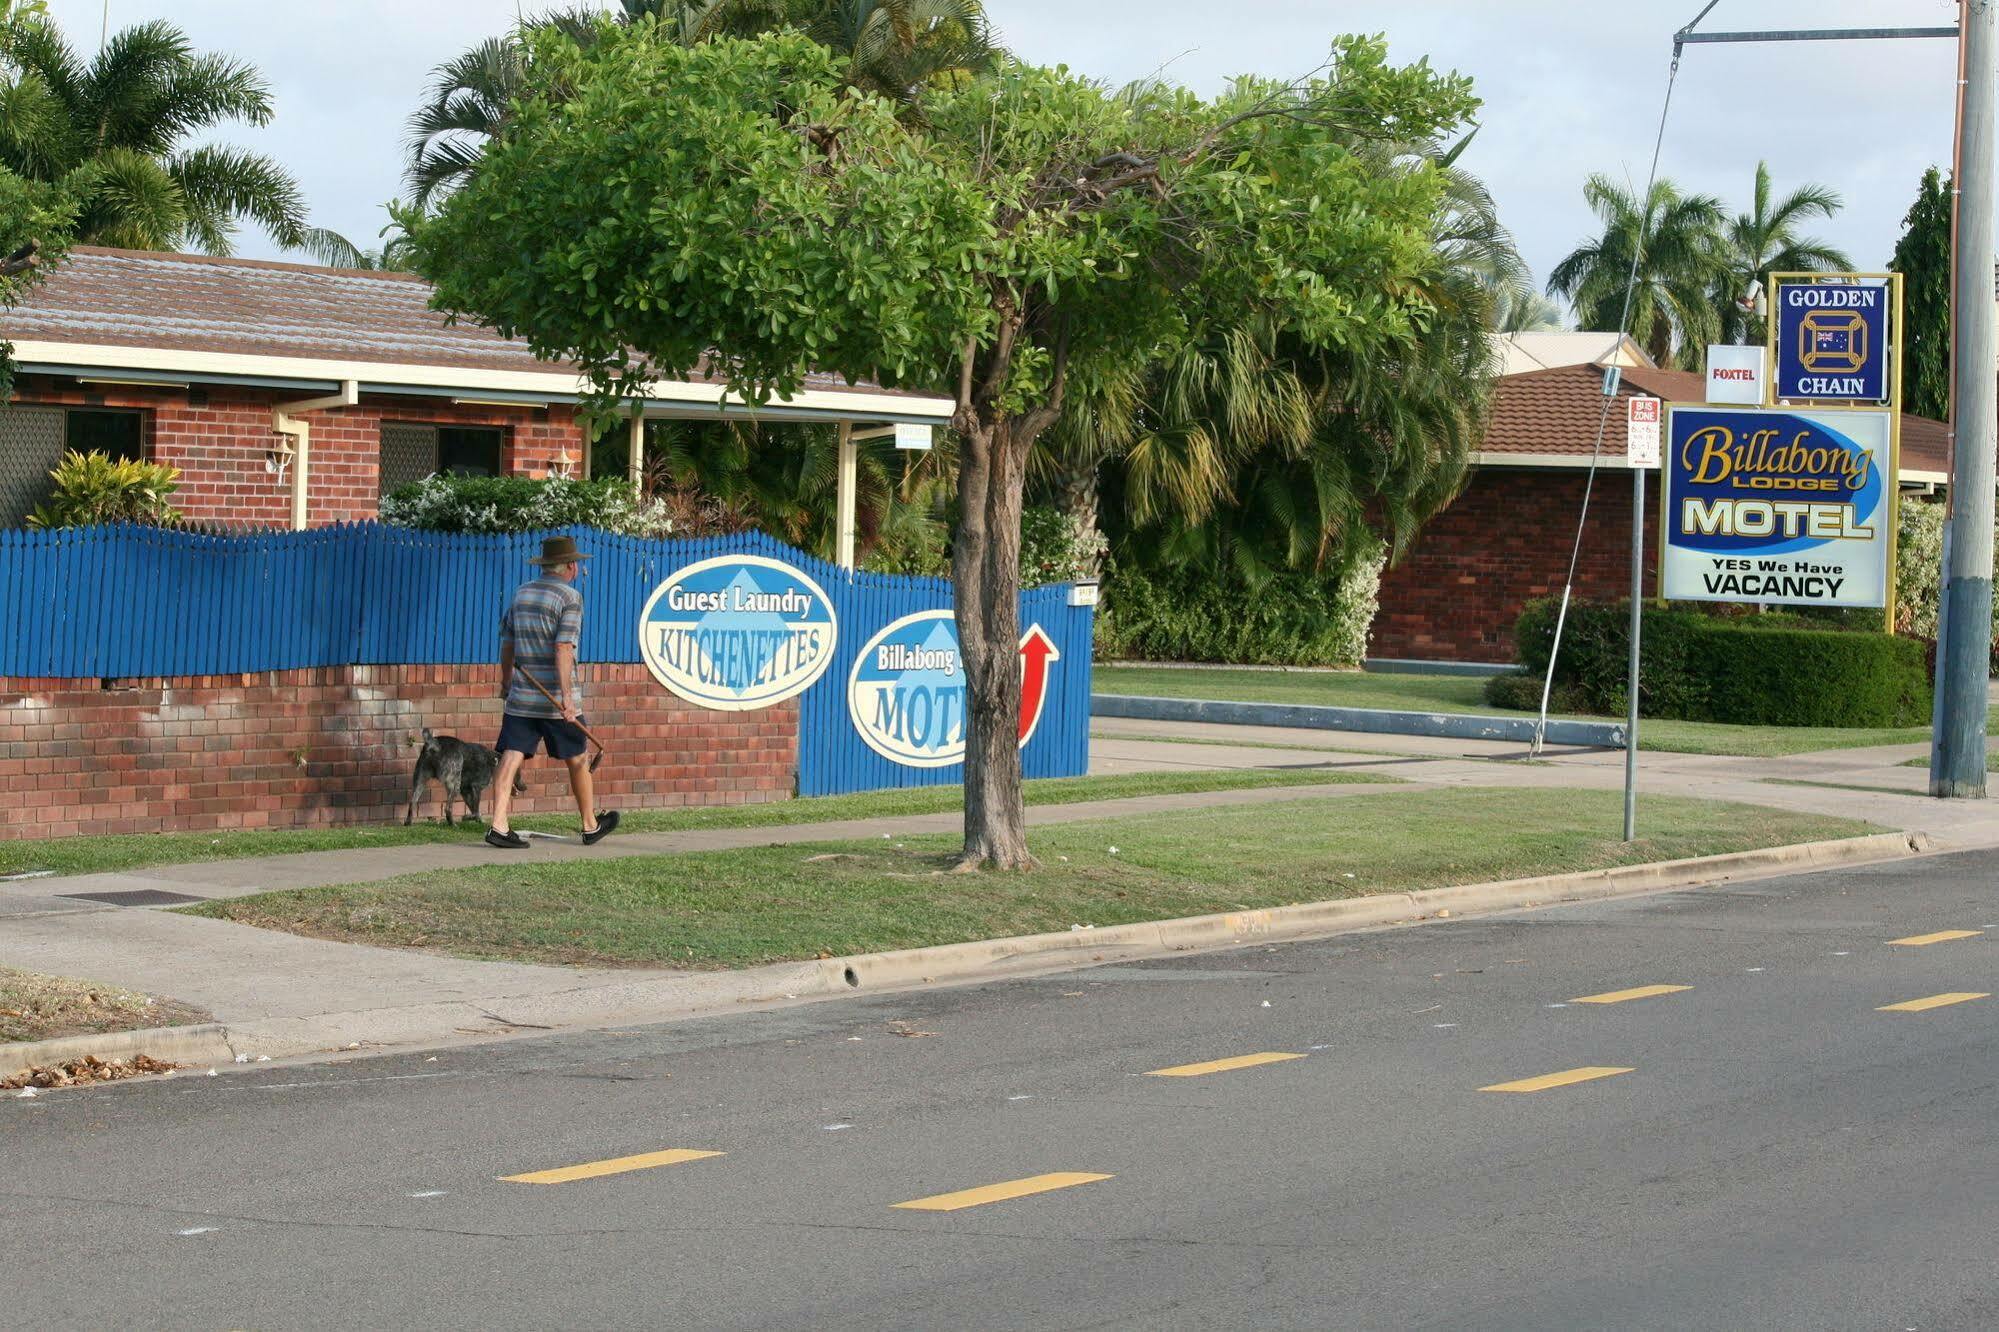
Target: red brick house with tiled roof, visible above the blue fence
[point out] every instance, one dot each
(293, 395)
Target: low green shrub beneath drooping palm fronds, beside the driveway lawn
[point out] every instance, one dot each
(1200, 615)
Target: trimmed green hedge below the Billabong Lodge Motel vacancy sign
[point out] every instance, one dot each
(1752, 671)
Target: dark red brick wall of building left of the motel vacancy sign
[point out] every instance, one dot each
(1506, 541)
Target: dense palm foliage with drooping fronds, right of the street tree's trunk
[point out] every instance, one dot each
(1248, 451)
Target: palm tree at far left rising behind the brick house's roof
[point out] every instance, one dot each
(111, 135)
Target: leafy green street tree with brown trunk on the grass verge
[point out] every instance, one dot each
(731, 205)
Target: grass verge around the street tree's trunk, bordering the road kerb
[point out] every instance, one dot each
(779, 903)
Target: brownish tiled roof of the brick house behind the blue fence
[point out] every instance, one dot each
(195, 303)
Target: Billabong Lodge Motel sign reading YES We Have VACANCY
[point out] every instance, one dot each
(1778, 507)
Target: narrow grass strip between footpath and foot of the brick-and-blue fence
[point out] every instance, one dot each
(129, 853)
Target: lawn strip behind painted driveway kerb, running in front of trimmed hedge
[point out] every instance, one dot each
(1468, 695)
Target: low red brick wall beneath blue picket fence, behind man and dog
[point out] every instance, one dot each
(303, 749)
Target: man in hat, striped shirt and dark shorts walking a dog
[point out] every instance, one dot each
(539, 639)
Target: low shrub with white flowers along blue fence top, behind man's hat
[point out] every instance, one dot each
(533, 505)
